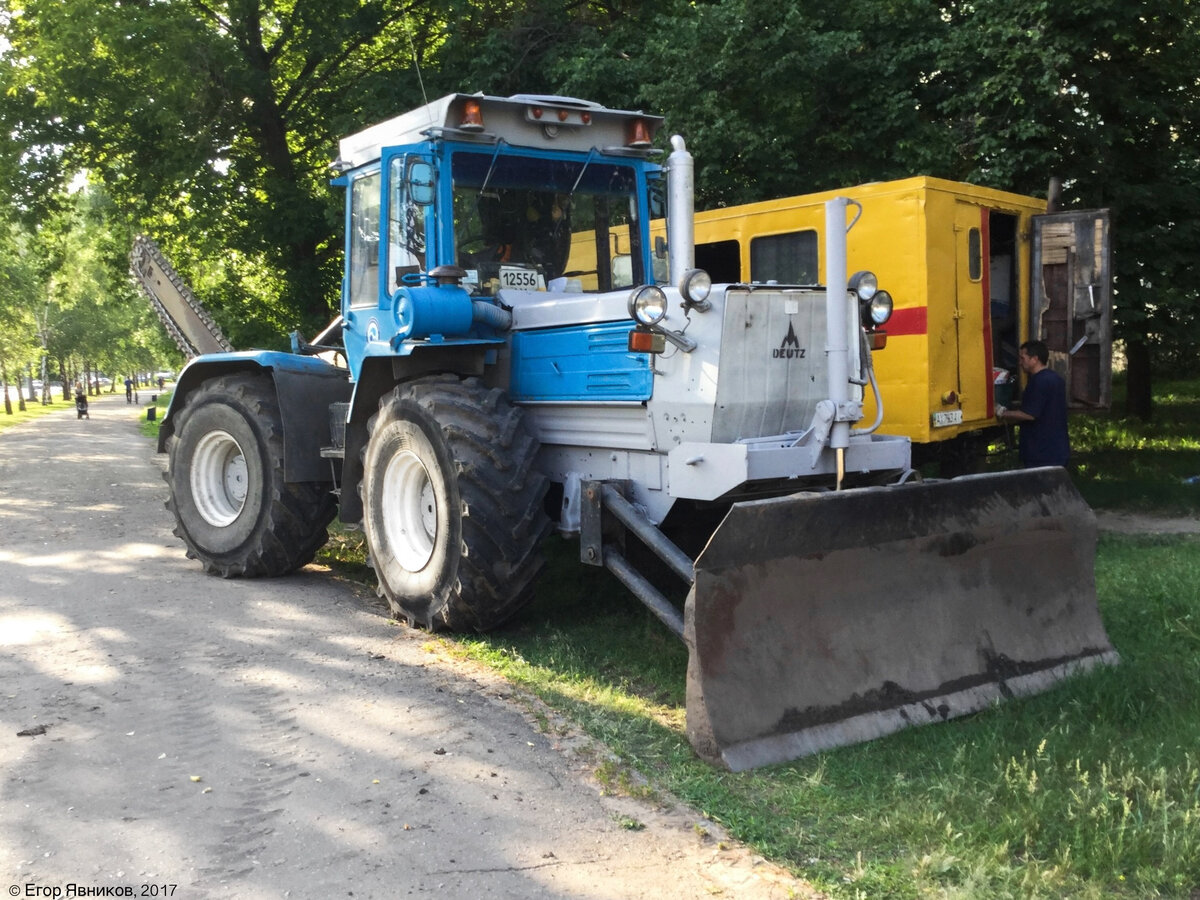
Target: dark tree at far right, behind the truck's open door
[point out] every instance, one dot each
(1106, 95)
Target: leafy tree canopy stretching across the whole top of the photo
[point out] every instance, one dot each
(211, 123)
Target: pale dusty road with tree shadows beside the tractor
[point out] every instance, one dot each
(271, 739)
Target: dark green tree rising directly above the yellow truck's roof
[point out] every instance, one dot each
(825, 95)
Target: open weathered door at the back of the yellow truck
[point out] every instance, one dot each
(1071, 302)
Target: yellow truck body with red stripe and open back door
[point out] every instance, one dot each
(974, 272)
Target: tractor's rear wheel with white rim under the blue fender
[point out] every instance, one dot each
(233, 508)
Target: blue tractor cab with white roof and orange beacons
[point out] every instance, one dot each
(470, 196)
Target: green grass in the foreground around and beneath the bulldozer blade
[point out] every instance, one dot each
(1089, 791)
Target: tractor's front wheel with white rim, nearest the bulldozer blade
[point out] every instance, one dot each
(453, 507)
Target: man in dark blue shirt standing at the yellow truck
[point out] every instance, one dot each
(1043, 413)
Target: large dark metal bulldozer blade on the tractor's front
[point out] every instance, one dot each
(820, 621)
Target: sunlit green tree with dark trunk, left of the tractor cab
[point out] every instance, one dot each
(213, 125)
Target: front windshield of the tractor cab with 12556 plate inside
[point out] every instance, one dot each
(545, 225)
